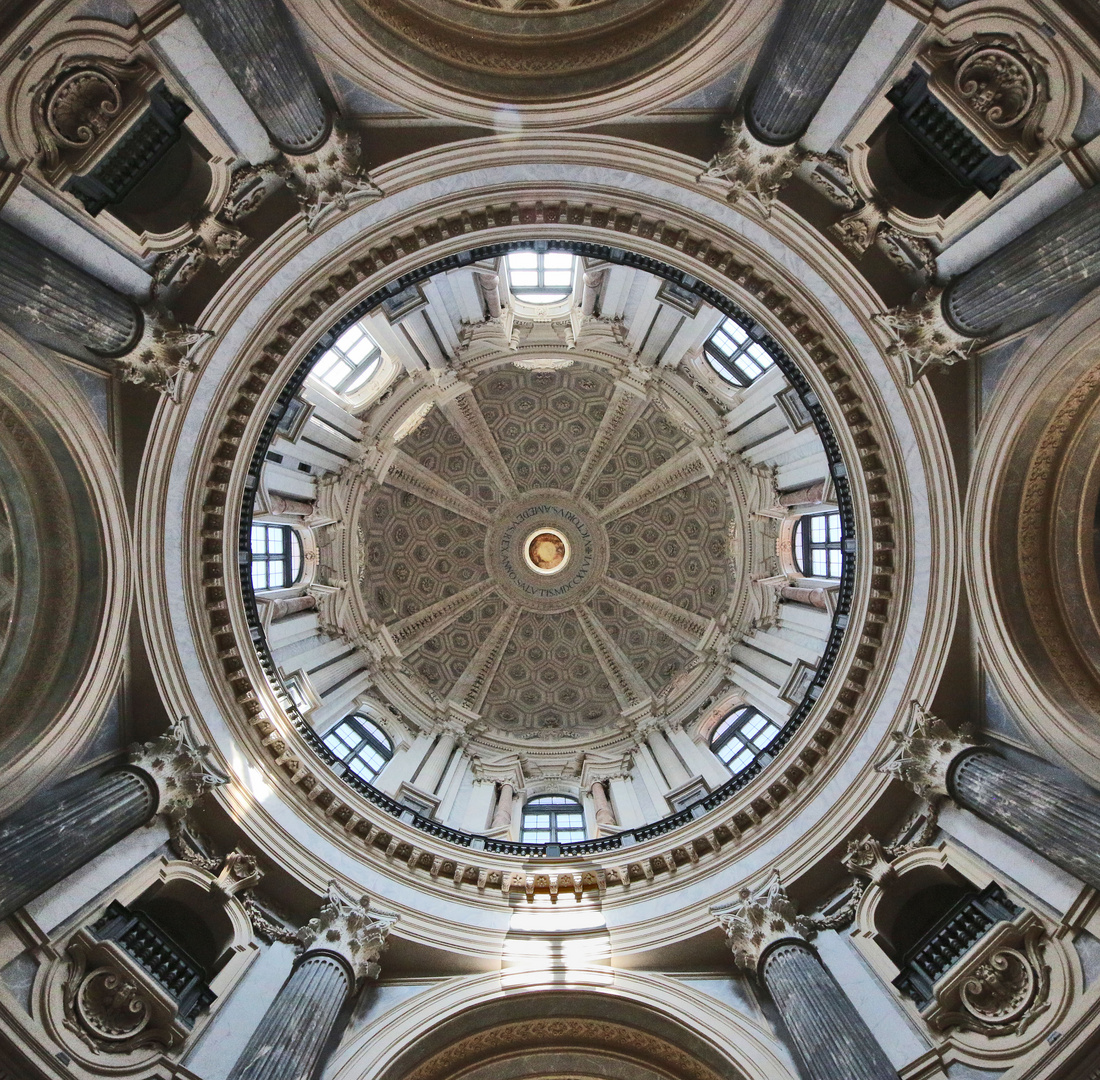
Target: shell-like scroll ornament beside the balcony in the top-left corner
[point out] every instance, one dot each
(78, 103)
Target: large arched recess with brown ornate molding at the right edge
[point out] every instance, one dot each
(1031, 523)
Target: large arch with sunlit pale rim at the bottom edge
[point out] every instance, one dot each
(645, 1028)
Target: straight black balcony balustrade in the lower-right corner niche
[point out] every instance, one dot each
(954, 935)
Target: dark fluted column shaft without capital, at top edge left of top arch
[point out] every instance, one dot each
(259, 47)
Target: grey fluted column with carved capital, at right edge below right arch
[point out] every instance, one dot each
(1057, 820)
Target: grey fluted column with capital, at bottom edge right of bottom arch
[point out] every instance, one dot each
(768, 939)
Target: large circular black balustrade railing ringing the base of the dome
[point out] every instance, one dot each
(844, 596)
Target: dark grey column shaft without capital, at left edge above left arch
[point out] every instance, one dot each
(59, 305)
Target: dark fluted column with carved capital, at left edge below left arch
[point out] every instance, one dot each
(54, 835)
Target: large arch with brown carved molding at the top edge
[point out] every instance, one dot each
(436, 82)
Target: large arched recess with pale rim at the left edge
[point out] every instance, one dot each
(68, 572)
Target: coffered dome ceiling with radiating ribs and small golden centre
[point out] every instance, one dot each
(562, 588)
